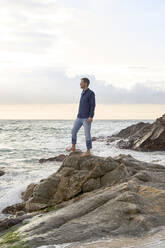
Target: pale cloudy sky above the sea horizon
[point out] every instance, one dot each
(46, 46)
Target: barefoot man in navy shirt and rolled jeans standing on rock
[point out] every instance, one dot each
(84, 117)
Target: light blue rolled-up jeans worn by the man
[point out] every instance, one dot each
(87, 128)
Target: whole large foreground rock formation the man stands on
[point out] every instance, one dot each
(95, 197)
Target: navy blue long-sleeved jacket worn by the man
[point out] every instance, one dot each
(87, 104)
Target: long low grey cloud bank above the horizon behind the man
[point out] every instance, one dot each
(52, 85)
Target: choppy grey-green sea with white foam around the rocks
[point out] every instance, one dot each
(24, 142)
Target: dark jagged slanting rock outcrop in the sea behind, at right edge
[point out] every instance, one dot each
(142, 136)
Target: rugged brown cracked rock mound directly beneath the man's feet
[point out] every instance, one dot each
(76, 175)
